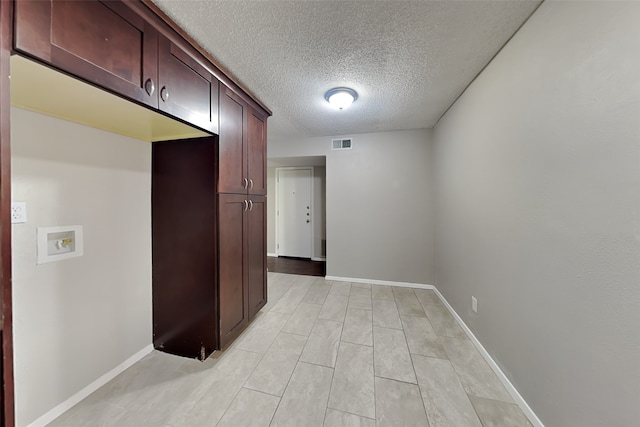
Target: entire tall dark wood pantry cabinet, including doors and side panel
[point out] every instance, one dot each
(209, 246)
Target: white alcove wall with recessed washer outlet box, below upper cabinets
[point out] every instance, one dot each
(77, 319)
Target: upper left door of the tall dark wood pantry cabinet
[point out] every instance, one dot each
(232, 175)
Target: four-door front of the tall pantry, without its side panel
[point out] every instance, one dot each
(242, 208)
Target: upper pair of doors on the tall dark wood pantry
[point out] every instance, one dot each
(243, 146)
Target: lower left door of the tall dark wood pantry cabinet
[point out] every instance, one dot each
(232, 277)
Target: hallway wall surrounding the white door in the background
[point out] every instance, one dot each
(319, 219)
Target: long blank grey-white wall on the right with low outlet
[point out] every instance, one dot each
(538, 211)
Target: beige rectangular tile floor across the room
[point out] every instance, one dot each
(320, 353)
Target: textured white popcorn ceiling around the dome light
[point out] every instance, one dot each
(408, 60)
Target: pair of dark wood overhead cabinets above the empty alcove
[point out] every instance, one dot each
(108, 44)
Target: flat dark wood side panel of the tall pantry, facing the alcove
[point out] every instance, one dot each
(184, 249)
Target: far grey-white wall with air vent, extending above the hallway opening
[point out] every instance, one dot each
(379, 204)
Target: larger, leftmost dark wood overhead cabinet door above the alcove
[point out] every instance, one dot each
(104, 43)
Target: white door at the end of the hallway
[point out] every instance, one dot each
(294, 209)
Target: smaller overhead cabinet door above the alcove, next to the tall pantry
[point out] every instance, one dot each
(187, 90)
